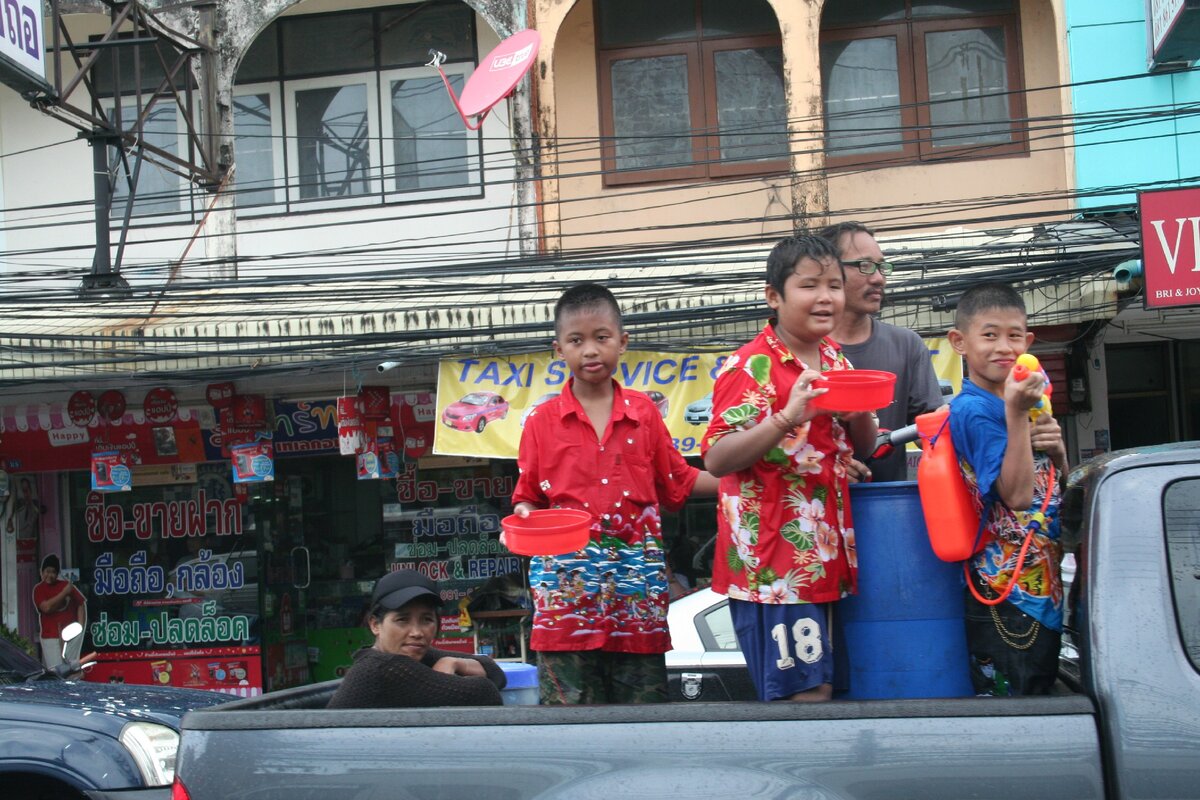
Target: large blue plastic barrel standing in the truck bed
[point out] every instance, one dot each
(904, 633)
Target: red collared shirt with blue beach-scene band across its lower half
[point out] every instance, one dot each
(613, 596)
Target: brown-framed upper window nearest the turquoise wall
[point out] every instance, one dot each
(917, 80)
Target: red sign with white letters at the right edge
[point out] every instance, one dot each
(1171, 244)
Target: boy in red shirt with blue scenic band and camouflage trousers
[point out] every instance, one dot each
(601, 615)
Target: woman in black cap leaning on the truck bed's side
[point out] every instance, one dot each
(403, 670)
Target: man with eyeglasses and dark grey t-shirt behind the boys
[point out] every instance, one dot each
(874, 345)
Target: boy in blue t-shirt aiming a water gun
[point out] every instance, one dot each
(1012, 467)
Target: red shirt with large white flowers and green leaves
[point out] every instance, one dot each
(784, 530)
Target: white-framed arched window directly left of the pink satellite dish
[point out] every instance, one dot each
(340, 110)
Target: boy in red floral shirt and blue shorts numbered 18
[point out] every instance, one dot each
(785, 539)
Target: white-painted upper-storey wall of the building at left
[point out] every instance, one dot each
(63, 173)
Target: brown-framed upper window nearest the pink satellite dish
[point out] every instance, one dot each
(691, 89)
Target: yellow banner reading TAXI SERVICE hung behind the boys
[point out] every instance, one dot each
(483, 401)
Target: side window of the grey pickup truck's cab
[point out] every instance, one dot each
(1181, 509)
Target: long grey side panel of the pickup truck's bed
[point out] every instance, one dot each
(971, 748)
